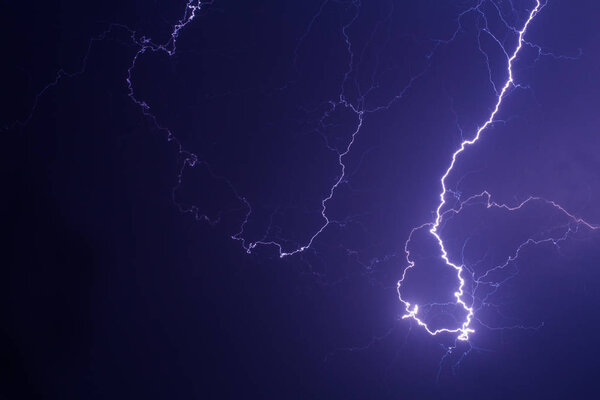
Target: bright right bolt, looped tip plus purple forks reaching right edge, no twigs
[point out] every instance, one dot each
(412, 310)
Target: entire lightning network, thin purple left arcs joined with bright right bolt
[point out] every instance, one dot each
(464, 329)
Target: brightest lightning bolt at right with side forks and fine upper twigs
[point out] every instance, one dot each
(465, 329)
